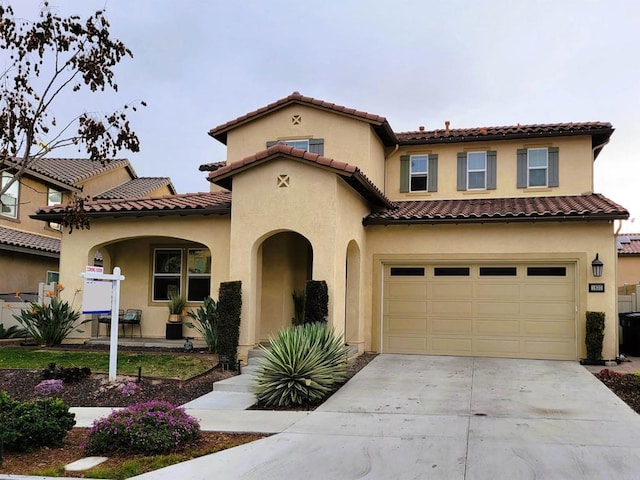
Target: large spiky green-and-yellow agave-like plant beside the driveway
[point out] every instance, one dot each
(308, 353)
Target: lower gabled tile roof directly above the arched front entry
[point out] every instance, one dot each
(223, 176)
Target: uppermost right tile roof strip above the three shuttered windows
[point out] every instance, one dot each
(601, 131)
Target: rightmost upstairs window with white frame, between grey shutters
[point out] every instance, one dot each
(538, 167)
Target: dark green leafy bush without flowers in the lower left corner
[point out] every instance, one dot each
(27, 425)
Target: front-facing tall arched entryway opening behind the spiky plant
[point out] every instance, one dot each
(285, 264)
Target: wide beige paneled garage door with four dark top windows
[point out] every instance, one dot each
(518, 310)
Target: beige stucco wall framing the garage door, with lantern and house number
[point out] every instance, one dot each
(567, 242)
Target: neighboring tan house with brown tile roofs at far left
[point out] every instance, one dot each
(30, 249)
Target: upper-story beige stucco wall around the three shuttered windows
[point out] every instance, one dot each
(575, 162)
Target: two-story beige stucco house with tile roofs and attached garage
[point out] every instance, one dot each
(475, 241)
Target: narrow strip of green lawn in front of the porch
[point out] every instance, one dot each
(153, 364)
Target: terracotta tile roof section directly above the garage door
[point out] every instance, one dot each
(485, 210)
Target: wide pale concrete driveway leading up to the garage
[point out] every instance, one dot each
(424, 417)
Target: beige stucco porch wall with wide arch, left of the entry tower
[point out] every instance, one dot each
(128, 244)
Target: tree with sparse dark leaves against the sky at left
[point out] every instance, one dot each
(39, 60)
